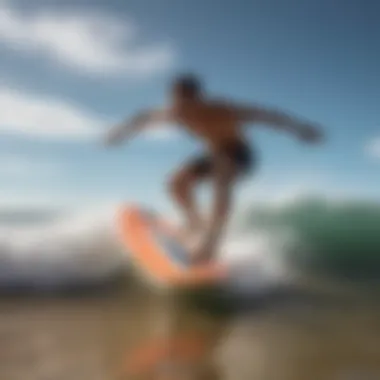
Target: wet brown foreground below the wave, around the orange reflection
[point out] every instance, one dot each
(94, 337)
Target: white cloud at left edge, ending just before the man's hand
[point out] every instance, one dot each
(44, 117)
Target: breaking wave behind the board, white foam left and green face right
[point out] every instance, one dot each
(265, 244)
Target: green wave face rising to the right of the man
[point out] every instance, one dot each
(342, 239)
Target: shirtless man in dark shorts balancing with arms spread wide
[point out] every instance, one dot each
(218, 125)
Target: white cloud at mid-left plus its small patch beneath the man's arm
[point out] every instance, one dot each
(49, 118)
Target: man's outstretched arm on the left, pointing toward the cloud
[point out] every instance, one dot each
(129, 129)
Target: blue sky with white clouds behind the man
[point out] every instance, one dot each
(70, 70)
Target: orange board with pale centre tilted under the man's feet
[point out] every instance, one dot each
(159, 254)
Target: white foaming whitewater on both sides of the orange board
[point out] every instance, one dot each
(84, 249)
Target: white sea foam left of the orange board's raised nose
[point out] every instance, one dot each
(77, 248)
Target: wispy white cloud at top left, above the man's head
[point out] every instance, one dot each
(91, 42)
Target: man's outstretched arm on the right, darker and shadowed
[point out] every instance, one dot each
(279, 120)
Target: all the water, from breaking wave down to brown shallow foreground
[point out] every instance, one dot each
(325, 332)
